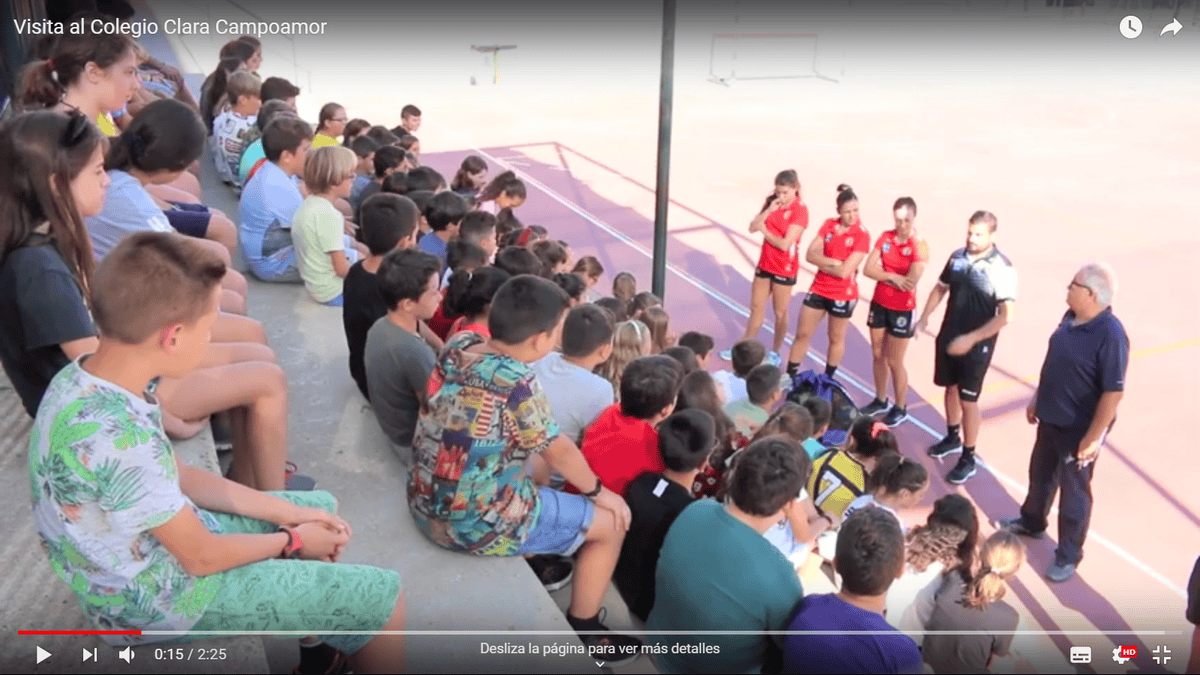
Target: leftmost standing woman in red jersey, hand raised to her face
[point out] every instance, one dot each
(782, 222)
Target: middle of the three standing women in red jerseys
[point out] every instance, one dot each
(837, 252)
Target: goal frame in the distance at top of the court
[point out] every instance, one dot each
(764, 56)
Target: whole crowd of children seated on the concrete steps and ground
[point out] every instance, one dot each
(535, 422)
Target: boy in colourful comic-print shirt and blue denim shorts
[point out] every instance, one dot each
(482, 450)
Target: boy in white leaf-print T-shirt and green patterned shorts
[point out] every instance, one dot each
(148, 543)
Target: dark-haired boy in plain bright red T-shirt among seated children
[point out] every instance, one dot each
(622, 444)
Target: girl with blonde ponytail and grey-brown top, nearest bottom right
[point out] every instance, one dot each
(973, 608)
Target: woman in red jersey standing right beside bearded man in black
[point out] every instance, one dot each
(896, 264)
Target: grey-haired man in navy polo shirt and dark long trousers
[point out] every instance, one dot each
(1082, 383)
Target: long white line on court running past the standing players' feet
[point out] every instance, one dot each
(848, 377)
